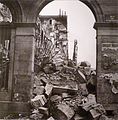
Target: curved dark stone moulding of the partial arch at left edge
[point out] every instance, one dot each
(15, 9)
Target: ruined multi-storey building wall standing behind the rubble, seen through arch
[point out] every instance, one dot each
(51, 39)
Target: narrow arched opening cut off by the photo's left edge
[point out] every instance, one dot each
(5, 38)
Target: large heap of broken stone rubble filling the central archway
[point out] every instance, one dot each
(64, 93)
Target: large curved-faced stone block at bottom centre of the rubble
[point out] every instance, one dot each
(63, 112)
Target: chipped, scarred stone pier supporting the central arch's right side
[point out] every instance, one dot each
(107, 64)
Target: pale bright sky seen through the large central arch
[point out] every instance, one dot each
(80, 26)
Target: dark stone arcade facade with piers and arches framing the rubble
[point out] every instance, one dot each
(21, 33)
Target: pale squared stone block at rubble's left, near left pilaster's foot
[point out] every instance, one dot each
(38, 101)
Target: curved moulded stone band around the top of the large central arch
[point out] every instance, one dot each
(93, 5)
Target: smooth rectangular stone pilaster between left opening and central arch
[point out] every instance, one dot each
(23, 62)
